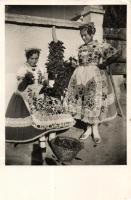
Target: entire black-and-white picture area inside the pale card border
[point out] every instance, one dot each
(65, 85)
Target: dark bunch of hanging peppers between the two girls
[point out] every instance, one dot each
(58, 69)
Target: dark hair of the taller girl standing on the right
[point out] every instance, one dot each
(90, 28)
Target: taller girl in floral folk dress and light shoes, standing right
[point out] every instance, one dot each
(90, 93)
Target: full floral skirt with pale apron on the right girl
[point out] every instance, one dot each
(90, 95)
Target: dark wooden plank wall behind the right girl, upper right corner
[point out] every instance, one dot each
(114, 26)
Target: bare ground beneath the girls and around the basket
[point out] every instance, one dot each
(111, 151)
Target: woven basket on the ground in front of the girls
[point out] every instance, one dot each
(65, 148)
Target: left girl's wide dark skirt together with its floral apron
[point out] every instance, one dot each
(29, 118)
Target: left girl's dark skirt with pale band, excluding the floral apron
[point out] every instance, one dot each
(19, 125)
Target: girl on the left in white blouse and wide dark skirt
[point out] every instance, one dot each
(31, 112)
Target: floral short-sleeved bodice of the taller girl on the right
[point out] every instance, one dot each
(95, 53)
